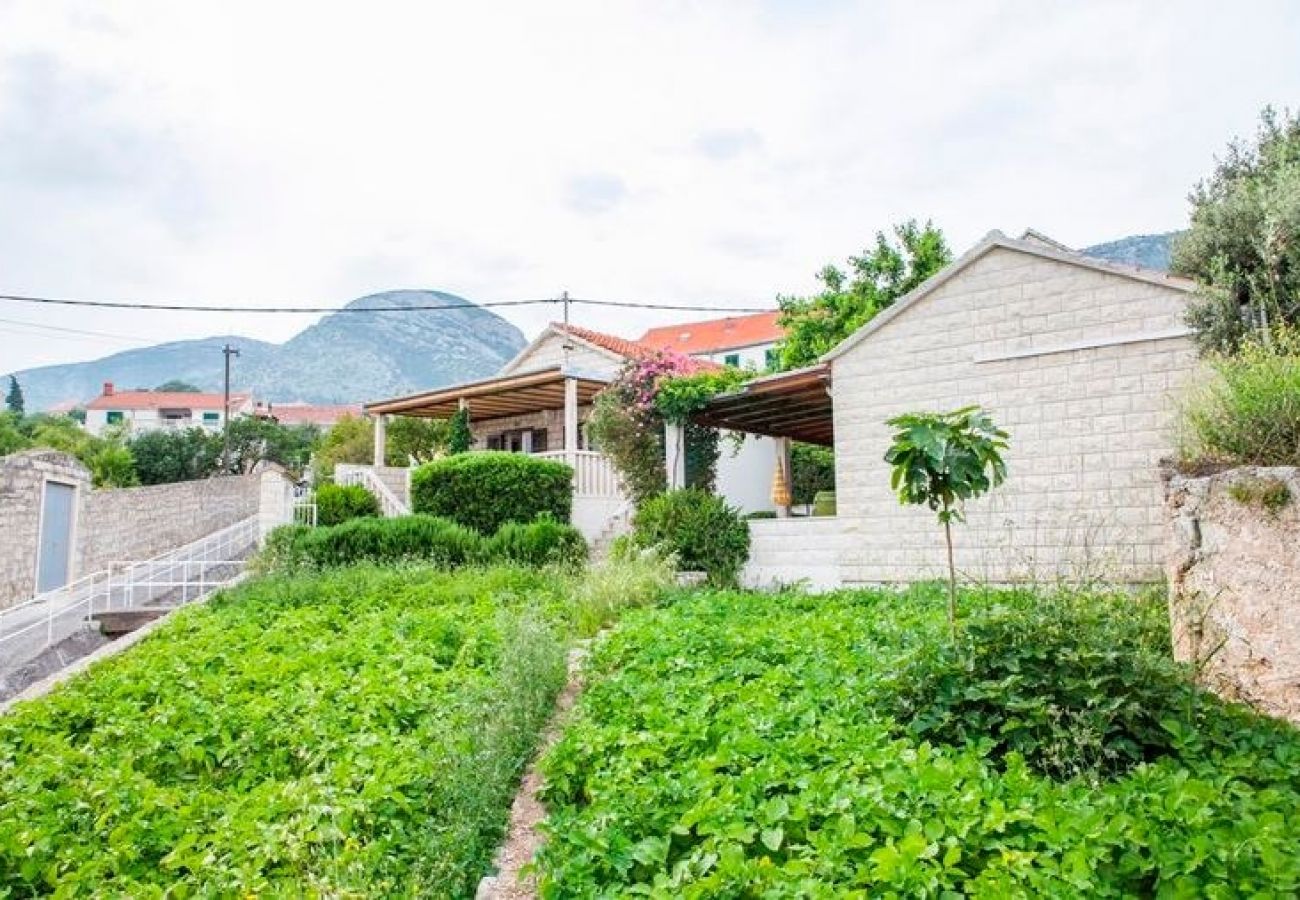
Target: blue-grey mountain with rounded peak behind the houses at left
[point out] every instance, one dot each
(346, 357)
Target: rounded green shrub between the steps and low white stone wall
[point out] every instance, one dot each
(699, 529)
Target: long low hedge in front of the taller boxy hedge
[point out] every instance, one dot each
(422, 539)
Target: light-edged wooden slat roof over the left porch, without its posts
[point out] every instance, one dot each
(495, 399)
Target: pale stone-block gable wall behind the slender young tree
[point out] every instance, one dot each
(1084, 366)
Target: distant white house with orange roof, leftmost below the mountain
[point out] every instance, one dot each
(151, 410)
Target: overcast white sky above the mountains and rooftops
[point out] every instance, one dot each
(263, 153)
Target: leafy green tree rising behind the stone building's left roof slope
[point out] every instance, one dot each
(850, 300)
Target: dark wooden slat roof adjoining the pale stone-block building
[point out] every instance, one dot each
(786, 405)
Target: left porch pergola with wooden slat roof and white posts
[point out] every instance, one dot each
(556, 388)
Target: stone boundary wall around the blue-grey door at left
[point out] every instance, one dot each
(110, 526)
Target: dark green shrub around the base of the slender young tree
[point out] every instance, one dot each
(1076, 686)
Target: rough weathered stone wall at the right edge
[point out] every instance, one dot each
(1234, 577)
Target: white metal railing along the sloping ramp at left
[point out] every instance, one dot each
(190, 573)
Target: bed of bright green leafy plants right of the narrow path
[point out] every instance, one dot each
(768, 746)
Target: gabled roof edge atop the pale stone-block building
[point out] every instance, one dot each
(1033, 244)
